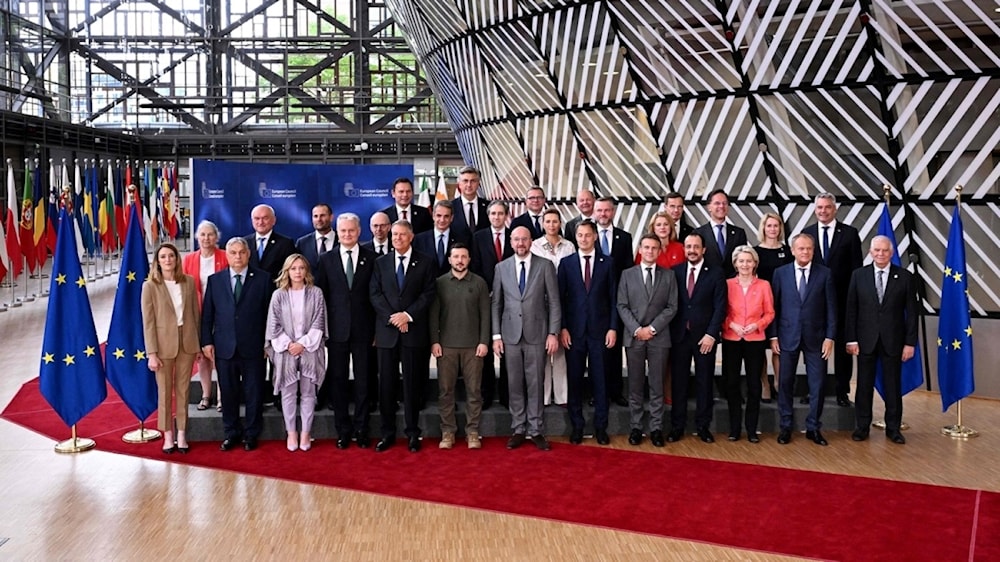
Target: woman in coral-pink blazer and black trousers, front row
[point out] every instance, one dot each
(749, 310)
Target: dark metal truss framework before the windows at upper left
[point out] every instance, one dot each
(281, 79)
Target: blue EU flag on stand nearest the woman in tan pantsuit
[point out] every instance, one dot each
(125, 355)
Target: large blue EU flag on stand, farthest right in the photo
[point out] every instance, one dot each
(955, 328)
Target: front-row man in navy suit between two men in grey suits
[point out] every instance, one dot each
(588, 293)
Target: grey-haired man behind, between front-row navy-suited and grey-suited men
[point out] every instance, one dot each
(617, 244)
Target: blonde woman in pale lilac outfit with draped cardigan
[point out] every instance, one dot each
(296, 332)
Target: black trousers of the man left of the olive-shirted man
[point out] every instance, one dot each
(390, 359)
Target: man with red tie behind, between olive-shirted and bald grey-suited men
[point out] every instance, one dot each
(490, 246)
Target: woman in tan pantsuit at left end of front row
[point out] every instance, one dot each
(170, 324)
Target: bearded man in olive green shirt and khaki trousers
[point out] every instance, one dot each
(460, 332)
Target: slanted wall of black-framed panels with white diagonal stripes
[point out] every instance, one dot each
(774, 101)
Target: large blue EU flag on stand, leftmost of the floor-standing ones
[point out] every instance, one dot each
(71, 373)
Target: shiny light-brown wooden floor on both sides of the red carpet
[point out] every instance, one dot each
(97, 505)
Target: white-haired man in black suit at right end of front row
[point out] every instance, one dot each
(881, 327)
